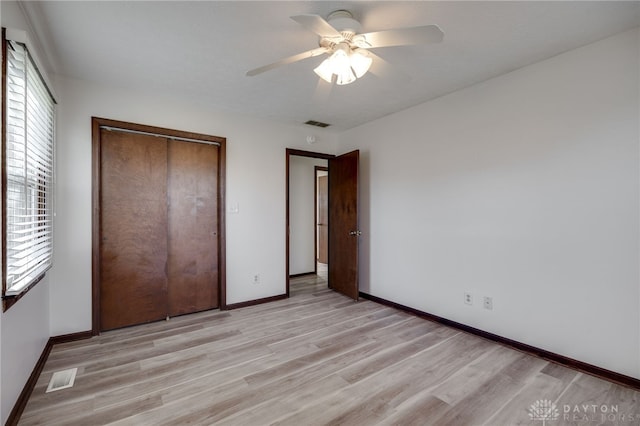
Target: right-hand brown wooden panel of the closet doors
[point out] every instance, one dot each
(192, 227)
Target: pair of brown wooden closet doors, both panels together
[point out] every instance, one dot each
(158, 228)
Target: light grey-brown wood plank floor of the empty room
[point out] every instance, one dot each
(313, 359)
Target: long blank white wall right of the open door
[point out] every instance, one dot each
(524, 188)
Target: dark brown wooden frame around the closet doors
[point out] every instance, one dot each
(96, 124)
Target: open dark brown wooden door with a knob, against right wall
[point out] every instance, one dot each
(343, 224)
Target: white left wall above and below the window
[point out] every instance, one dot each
(24, 328)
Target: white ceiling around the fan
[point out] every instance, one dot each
(202, 49)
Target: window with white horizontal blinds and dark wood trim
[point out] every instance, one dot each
(28, 172)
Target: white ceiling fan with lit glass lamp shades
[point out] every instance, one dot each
(348, 50)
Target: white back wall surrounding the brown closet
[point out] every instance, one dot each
(255, 182)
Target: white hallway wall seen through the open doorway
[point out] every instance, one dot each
(302, 227)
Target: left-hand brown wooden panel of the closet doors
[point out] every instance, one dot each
(133, 243)
